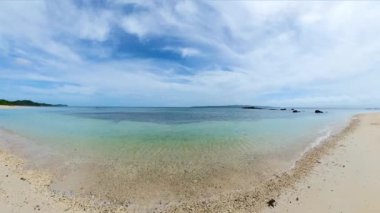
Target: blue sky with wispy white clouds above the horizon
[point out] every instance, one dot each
(185, 53)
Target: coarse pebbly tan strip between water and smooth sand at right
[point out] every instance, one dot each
(256, 200)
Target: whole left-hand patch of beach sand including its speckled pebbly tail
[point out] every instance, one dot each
(28, 190)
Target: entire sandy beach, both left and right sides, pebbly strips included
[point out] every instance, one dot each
(338, 176)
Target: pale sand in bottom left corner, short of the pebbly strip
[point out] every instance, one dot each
(25, 191)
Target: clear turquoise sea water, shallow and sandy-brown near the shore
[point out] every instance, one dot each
(139, 154)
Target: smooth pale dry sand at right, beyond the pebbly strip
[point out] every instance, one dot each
(345, 180)
